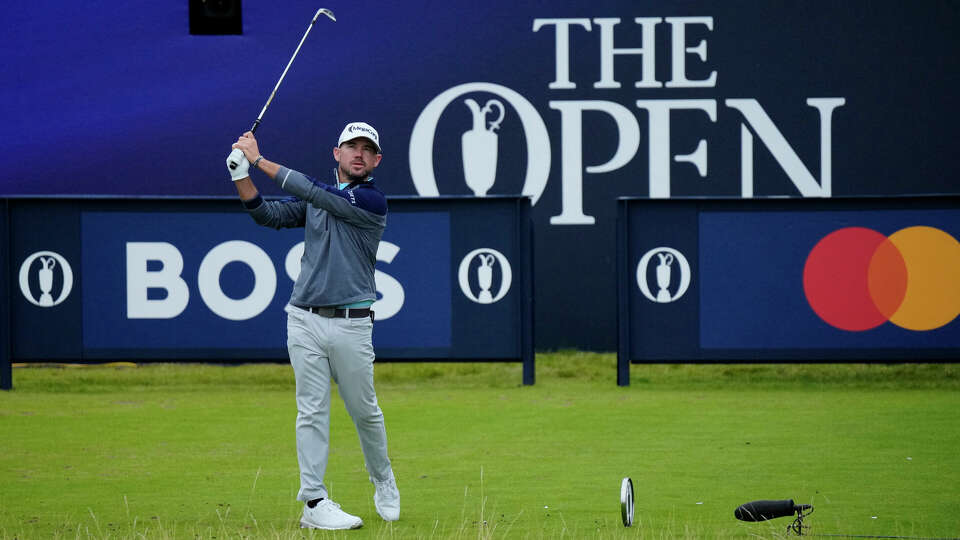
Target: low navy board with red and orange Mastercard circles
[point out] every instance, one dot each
(773, 279)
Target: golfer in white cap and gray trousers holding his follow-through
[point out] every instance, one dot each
(329, 321)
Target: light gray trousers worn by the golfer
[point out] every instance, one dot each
(339, 350)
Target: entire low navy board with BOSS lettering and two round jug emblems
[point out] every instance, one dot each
(166, 279)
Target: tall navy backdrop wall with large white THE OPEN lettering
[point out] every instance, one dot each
(573, 103)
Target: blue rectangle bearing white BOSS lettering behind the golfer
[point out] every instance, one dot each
(199, 279)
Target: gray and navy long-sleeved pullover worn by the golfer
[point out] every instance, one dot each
(342, 232)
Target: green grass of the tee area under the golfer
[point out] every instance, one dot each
(201, 451)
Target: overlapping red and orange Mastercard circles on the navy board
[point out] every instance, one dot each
(856, 279)
